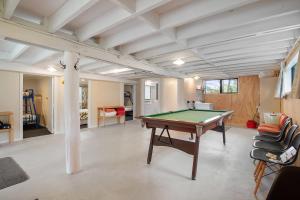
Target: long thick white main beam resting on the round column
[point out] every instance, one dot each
(36, 37)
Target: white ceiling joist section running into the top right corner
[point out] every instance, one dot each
(248, 14)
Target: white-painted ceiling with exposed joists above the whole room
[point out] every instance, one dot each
(215, 38)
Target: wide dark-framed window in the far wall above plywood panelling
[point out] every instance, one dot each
(221, 86)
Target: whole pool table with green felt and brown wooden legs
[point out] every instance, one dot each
(194, 122)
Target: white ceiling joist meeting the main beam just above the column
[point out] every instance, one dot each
(114, 18)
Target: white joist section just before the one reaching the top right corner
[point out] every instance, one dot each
(197, 10)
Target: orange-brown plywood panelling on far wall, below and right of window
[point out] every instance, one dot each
(243, 103)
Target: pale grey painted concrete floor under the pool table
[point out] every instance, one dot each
(114, 167)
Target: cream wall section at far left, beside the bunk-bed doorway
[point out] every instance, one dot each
(10, 100)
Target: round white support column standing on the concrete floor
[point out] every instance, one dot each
(71, 113)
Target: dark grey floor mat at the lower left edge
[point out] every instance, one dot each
(11, 173)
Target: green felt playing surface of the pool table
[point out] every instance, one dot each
(193, 116)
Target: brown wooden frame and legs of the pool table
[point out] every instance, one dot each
(191, 147)
